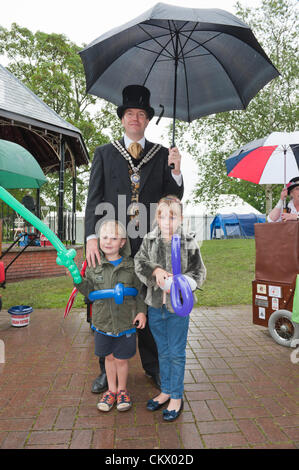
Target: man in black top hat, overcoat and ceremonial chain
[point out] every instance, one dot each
(131, 171)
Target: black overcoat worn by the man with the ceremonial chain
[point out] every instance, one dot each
(110, 183)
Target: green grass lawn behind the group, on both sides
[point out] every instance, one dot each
(230, 271)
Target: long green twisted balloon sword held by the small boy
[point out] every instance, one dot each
(64, 257)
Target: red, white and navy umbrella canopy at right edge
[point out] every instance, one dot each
(271, 160)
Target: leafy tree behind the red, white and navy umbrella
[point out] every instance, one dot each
(213, 138)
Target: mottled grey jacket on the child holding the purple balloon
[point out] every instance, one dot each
(155, 252)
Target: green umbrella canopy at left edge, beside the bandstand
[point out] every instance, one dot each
(18, 168)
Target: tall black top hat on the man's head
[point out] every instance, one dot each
(136, 96)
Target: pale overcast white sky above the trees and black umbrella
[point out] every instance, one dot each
(84, 20)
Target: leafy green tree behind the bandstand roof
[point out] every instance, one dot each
(49, 64)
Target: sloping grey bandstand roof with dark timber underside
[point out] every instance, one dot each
(26, 120)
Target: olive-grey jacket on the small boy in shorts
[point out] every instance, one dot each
(108, 316)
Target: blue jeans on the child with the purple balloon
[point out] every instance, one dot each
(170, 333)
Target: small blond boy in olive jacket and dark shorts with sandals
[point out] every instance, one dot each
(114, 324)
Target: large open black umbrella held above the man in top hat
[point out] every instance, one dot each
(195, 62)
